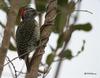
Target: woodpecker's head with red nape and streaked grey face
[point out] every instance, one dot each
(27, 13)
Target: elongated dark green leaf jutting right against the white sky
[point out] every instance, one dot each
(85, 27)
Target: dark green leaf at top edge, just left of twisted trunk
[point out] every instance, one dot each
(41, 5)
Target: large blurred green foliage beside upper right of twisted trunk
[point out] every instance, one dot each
(64, 9)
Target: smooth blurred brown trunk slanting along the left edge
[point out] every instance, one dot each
(7, 33)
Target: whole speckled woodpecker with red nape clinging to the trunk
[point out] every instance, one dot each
(27, 33)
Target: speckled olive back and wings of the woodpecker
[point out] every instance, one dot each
(25, 37)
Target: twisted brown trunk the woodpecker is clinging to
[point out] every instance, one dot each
(46, 30)
